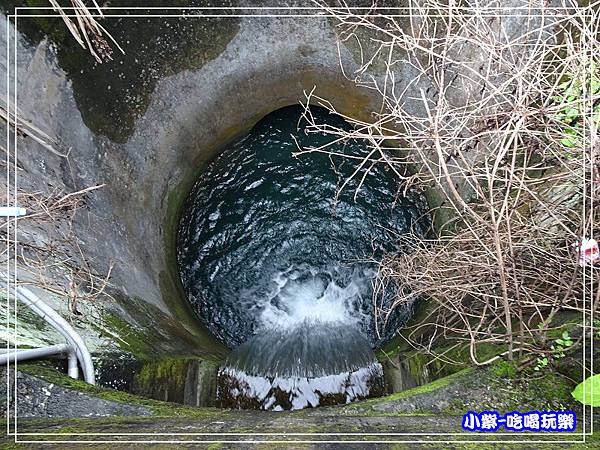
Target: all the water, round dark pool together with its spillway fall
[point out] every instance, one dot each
(279, 268)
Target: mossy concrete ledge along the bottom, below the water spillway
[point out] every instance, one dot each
(368, 422)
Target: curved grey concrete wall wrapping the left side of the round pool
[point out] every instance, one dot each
(189, 111)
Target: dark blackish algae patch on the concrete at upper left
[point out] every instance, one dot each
(113, 94)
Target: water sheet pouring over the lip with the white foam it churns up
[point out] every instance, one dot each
(309, 317)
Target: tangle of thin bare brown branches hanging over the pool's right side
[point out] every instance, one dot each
(477, 106)
